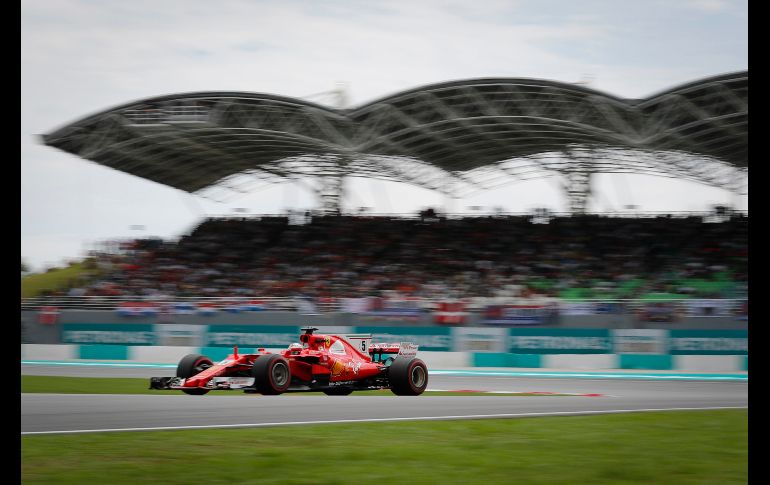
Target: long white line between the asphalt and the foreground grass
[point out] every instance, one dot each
(377, 420)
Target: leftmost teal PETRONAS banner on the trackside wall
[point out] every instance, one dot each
(109, 333)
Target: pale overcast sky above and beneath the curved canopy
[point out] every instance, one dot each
(79, 57)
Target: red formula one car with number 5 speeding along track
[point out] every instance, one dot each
(335, 365)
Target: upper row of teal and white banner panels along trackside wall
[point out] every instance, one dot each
(429, 338)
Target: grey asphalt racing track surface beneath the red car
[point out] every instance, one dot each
(42, 413)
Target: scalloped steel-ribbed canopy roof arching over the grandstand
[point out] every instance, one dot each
(454, 136)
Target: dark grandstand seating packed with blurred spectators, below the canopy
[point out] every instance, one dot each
(484, 257)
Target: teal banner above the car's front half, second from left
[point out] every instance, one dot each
(265, 336)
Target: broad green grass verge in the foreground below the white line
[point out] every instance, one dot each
(693, 447)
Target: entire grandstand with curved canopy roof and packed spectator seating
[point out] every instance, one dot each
(456, 137)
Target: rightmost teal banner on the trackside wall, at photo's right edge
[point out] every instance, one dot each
(709, 342)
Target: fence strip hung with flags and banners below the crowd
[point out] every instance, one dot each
(496, 311)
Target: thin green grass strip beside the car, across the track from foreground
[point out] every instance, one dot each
(132, 385)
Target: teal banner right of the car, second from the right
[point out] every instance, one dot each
(559, 341)
